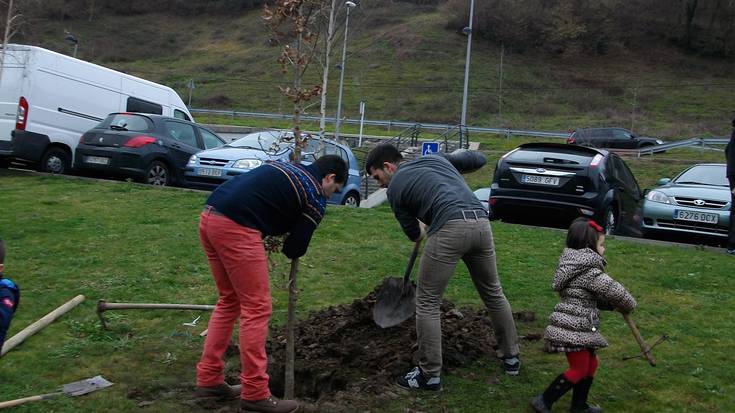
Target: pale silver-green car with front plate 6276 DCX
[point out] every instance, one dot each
(696, 202)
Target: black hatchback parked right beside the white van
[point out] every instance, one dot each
(151, 148)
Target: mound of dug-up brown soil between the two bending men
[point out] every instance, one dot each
(342, 356)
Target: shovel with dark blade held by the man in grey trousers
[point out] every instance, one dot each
(396, 302)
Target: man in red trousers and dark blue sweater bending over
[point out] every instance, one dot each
(273, 199)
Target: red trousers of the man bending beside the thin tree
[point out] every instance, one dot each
(240, 269)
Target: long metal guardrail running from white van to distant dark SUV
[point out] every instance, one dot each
(386, 123)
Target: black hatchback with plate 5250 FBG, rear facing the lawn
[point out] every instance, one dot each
(555, 181)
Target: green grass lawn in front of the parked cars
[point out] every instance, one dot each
(125, 242)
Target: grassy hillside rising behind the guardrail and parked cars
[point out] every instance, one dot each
(407, 66)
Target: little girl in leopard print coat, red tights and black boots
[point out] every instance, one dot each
(583, 288)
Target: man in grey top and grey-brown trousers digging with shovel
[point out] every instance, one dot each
(430, 190)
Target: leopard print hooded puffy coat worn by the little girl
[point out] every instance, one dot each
(583, 286)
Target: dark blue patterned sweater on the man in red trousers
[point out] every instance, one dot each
(275, 198)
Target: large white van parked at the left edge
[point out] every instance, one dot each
(48, 100)
